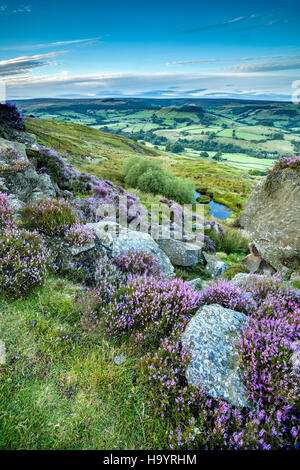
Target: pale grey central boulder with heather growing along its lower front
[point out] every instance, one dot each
(116, 240)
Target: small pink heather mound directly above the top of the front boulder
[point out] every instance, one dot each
(228, 295)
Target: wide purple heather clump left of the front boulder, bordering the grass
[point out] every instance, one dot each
(148, 308)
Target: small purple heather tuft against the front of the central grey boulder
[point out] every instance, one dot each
(137, 262)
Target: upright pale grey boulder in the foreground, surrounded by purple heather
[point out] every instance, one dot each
(211, 336)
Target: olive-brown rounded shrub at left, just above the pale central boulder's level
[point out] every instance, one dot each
(50, 216)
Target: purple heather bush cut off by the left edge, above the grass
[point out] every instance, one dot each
(24, 261)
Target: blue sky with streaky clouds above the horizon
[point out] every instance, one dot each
(158, 49)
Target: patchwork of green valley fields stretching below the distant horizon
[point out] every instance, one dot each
(255, 129)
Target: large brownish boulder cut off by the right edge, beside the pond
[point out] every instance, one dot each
(272, 214)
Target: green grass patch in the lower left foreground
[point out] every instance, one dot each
(56, 395)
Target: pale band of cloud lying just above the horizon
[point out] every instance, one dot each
(155, 84)
